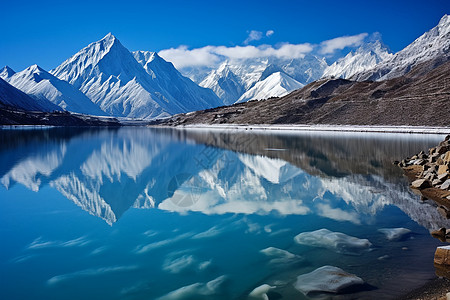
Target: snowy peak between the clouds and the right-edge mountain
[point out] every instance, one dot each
(365, 57)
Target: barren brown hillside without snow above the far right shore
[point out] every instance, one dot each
(421, 97)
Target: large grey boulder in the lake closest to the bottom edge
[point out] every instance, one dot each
(327, 279)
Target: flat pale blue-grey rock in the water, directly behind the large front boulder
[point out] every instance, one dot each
(336, 241)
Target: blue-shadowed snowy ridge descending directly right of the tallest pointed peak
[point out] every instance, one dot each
(170, 80)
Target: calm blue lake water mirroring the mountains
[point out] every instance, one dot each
(138, 213)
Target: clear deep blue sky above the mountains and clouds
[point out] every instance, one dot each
(48, 32)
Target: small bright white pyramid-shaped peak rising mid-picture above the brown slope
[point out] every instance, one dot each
(276, 85)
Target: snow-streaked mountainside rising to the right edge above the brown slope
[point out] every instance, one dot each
(434, 44)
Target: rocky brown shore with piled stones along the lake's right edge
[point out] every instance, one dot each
(429, 173)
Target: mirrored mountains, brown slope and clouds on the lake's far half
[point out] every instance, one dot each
(106, 172)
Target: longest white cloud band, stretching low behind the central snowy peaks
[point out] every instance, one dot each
(212, 55)
